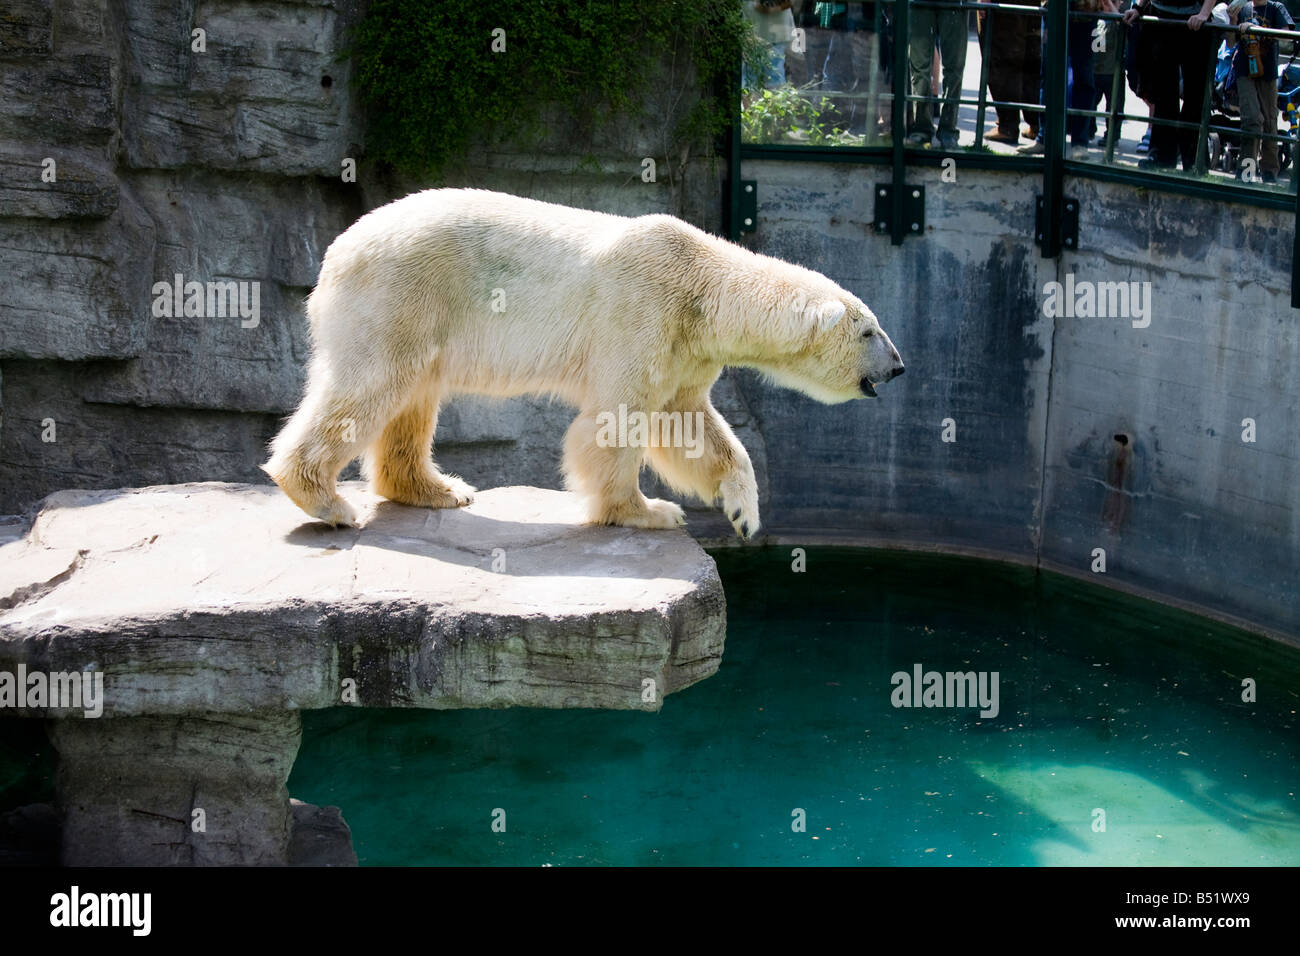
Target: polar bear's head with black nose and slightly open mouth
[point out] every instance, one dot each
(834, 347)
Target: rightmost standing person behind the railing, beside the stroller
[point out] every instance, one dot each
(1258, 96)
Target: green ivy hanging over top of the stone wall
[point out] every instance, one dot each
(432, 85)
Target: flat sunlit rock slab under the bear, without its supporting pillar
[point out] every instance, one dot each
(226, 599)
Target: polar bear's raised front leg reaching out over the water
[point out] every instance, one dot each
(710, 464)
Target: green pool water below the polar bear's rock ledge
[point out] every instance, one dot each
(1107, 703)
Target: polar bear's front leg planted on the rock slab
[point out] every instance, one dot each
(606, 477)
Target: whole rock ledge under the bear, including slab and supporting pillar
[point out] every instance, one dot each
(214, 615)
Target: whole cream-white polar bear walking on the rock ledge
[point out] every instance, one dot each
(454, 291)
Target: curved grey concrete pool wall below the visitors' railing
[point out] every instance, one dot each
(1073, 432)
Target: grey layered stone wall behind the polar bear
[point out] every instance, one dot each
(226, 166)
